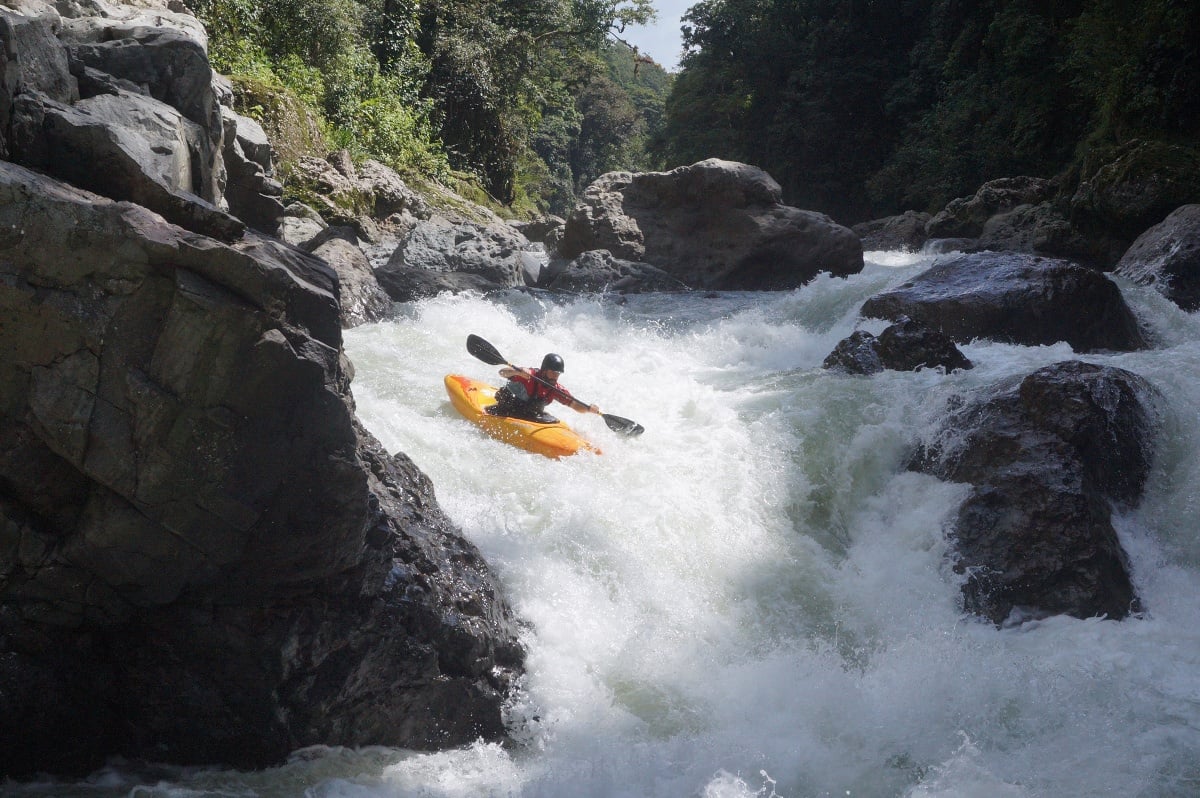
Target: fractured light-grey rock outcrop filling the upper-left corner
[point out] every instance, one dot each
(119, 101)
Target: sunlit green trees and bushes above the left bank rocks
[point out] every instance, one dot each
(533, 98)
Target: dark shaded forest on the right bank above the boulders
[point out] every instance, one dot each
(868, 107)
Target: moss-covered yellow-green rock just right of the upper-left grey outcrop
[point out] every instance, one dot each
(292, 127)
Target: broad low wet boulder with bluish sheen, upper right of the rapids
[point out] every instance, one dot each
(1017, 299)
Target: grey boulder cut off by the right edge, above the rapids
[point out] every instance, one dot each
(1168, 257)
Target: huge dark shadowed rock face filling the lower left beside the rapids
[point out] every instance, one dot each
(203, 559)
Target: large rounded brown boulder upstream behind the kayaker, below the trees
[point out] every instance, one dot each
(713, 225)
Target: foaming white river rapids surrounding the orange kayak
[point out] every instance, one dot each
(753, 598)
